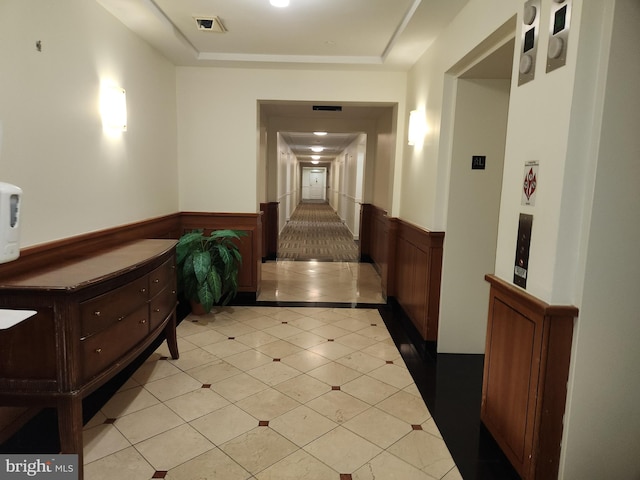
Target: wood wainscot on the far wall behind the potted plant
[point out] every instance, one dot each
(250, 246)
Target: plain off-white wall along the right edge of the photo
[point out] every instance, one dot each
(602, 429)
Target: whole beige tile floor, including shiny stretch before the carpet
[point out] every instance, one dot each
(281, 393)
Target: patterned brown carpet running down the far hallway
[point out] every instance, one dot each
(315, 232)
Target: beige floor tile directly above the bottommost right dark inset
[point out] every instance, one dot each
(343, 450)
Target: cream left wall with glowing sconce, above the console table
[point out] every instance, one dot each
(75, 178)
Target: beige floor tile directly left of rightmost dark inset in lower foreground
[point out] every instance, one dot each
(378, 427)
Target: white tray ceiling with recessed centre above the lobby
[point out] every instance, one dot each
(385, 34)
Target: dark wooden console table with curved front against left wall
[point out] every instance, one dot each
(96, 312)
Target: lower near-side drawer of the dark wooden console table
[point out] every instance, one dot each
(101, 350)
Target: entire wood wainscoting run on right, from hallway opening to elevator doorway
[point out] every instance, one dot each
(409, 260)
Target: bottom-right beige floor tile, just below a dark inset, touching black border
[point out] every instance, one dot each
(425, 452)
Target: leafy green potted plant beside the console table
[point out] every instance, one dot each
(208, 267)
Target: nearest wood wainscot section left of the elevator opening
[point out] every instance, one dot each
(418, 271)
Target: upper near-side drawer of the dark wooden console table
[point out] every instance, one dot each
(100, 312)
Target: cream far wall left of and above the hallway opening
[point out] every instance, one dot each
(217, 114)
